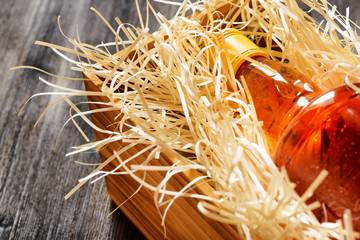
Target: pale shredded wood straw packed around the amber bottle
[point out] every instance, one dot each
(174, 100)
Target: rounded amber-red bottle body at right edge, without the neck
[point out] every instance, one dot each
(326, 136)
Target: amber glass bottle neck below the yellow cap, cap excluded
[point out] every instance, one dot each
(278, 93)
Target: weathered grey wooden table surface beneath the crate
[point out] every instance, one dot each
(34, 177)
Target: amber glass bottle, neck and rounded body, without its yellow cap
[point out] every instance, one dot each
(312, 131)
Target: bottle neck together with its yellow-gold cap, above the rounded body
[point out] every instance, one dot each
(278, 92)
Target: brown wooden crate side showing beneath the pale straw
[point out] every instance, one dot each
(183, 221)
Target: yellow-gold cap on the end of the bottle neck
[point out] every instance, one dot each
(237, 43)
